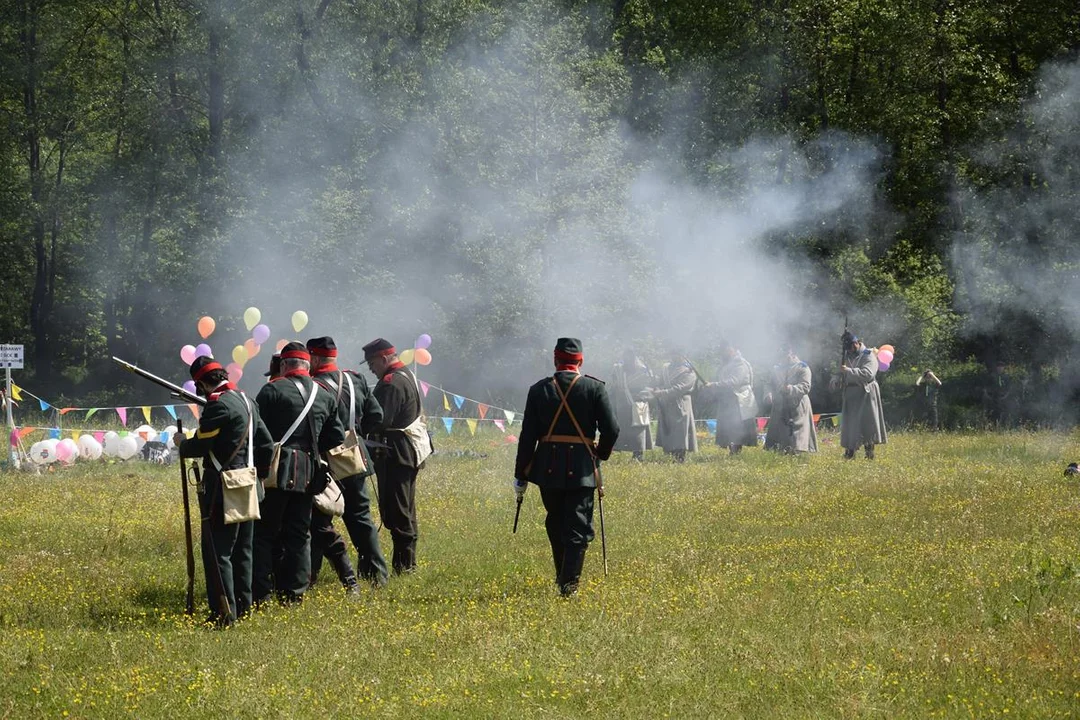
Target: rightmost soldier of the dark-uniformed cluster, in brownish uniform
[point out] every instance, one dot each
(399, 464)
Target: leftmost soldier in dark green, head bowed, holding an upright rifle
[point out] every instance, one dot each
(223, 431)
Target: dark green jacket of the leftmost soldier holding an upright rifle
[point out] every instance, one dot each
(223, 428)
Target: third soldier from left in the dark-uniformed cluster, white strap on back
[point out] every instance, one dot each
(358, 406)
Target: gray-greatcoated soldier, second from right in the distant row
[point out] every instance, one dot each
(791, 423)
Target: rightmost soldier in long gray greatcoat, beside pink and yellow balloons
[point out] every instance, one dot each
(862, 422)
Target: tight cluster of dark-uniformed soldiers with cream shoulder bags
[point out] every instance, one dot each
(302, 415)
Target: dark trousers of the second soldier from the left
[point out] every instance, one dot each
(285, 528)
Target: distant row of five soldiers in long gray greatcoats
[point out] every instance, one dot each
(791, 427)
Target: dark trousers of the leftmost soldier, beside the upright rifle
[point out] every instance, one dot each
(227, 556)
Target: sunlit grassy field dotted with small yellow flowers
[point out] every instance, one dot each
(938, 581)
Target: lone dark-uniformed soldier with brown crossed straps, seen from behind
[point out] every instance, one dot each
(558, 452)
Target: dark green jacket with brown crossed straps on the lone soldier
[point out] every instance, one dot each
(565, 466)
